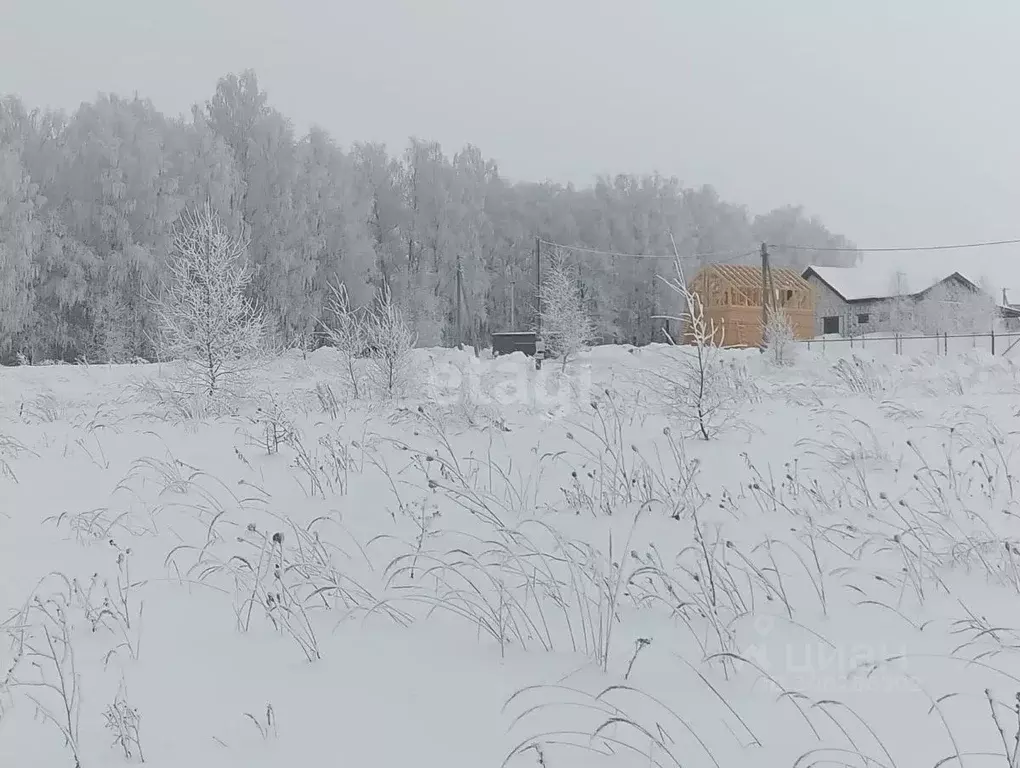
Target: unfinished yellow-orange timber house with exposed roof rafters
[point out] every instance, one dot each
(732, 299)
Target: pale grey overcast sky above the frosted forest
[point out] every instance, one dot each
(896, 121)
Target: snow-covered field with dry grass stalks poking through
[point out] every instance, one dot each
(515, 569)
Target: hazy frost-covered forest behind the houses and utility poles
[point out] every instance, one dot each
(88, 202)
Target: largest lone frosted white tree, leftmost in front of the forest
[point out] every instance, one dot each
(206, 320)
